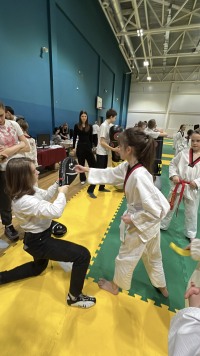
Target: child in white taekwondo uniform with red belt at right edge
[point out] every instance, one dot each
(184, 173)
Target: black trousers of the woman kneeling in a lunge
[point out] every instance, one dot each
(44, 247)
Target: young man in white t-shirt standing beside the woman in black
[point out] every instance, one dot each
(103, 147)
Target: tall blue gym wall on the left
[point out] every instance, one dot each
(83, 61)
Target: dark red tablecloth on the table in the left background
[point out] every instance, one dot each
(49, 156)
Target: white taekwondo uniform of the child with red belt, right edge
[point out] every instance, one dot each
(187, 170)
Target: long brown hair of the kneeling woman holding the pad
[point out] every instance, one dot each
(19, 177)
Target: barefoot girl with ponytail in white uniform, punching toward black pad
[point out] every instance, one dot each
(146, 206)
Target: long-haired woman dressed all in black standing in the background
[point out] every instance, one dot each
(84, 147)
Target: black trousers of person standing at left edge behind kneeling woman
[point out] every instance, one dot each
(5, 202)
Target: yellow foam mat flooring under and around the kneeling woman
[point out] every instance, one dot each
(35, 319)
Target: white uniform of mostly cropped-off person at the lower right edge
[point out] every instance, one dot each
(184, 333)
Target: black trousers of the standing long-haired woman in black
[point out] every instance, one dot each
(84, 153)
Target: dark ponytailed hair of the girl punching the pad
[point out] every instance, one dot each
(144, 146)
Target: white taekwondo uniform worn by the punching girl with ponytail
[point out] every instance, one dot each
(147, 206)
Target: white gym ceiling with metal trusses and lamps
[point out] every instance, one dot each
(170, 41)
